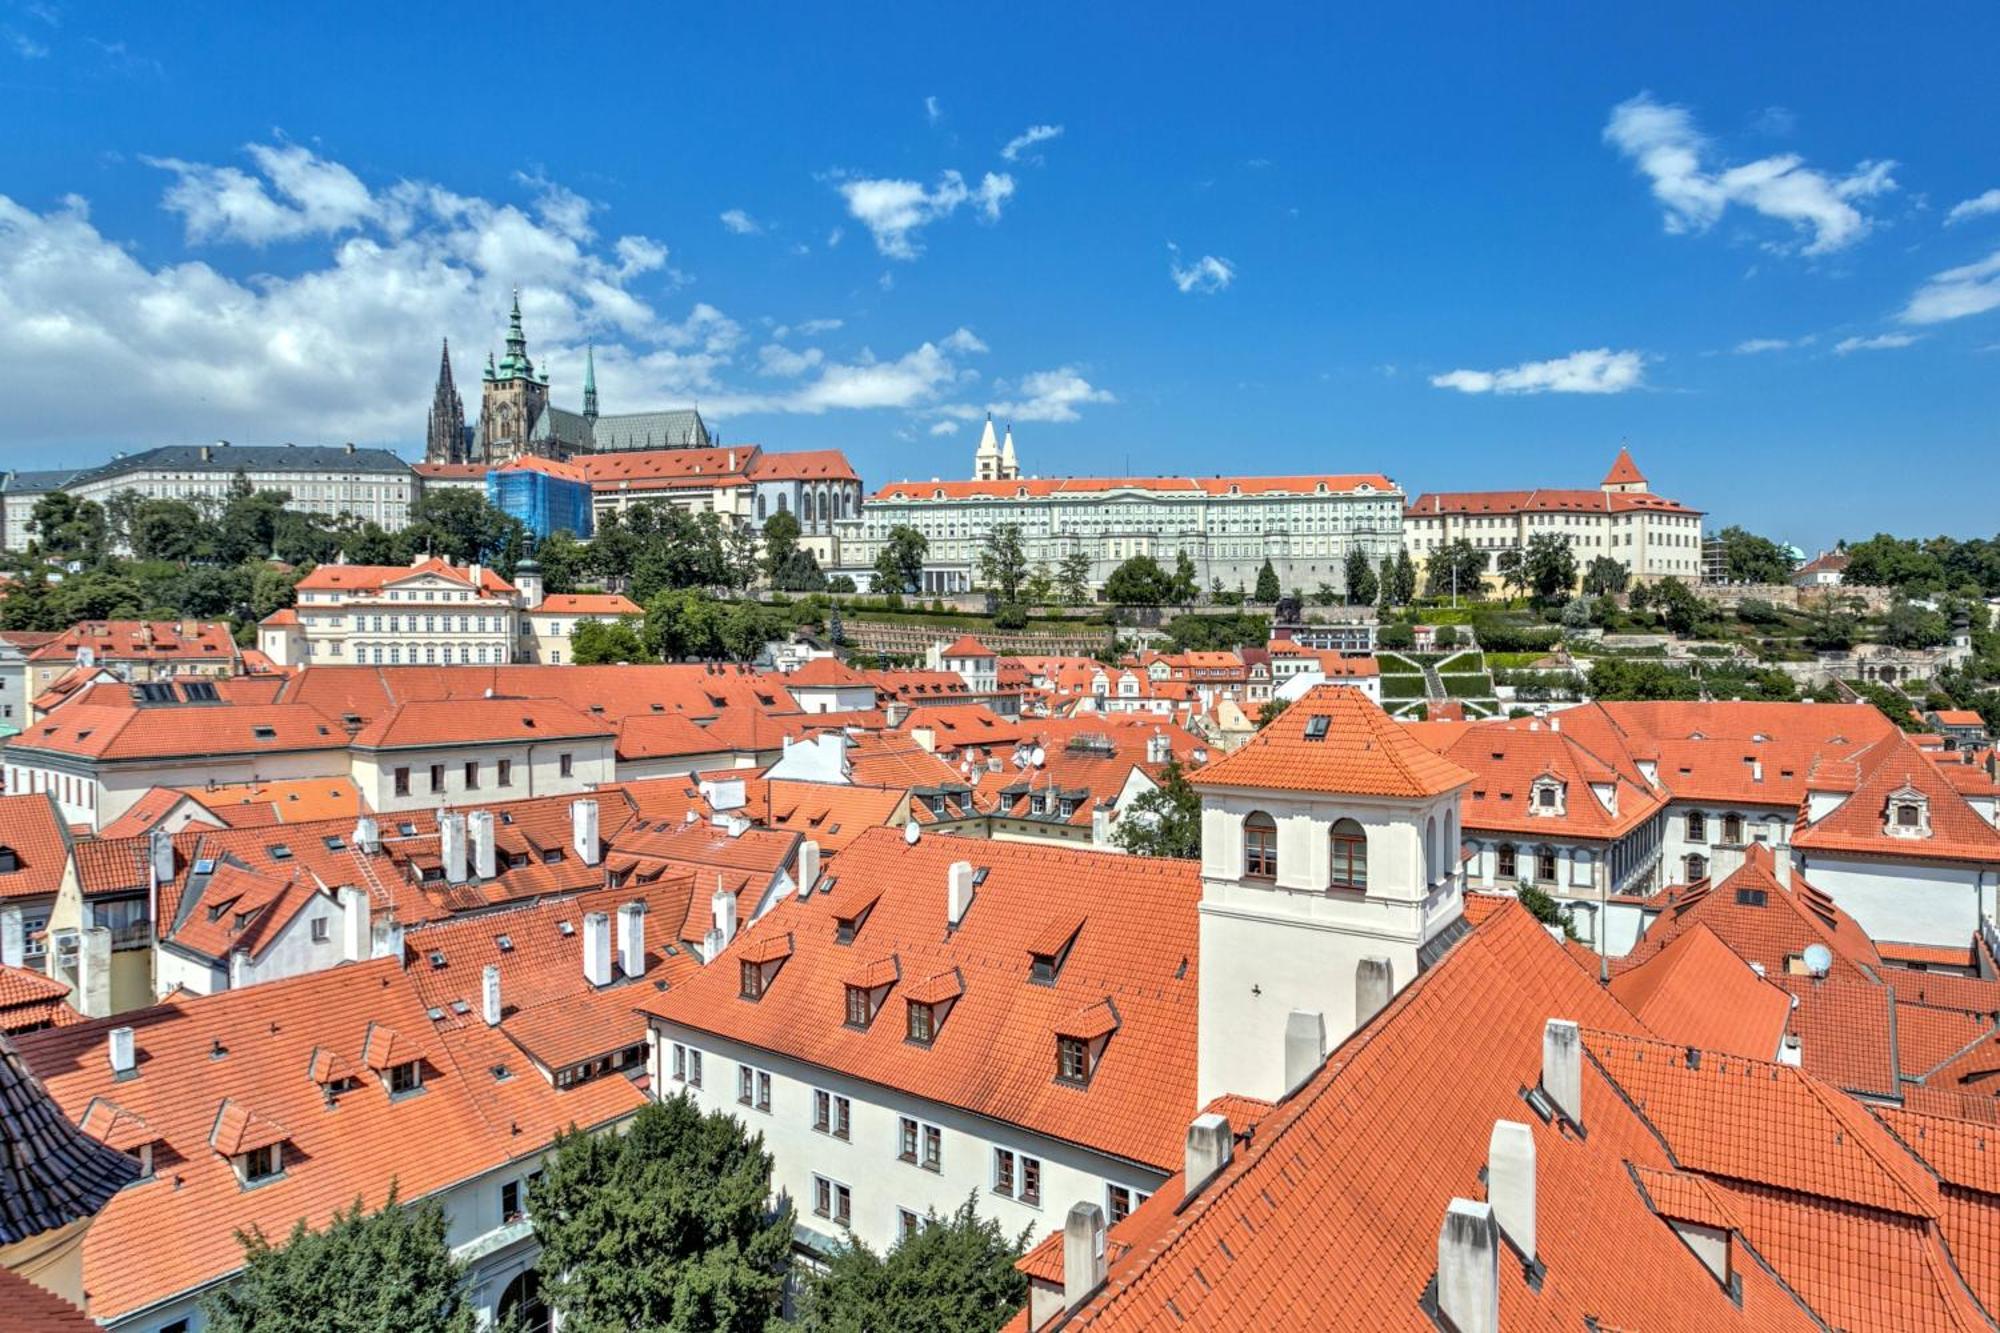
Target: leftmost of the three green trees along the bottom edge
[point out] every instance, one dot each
(385, 1270)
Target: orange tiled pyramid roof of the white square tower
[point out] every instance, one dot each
(1357, 752)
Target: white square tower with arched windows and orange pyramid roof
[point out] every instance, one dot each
(1329, 868)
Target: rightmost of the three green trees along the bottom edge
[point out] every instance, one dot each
(951, 1276)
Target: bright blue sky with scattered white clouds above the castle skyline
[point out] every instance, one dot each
(1457, 247)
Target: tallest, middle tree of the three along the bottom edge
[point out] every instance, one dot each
(663, 1228)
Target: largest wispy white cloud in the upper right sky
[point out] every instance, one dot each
(1697, 191)
